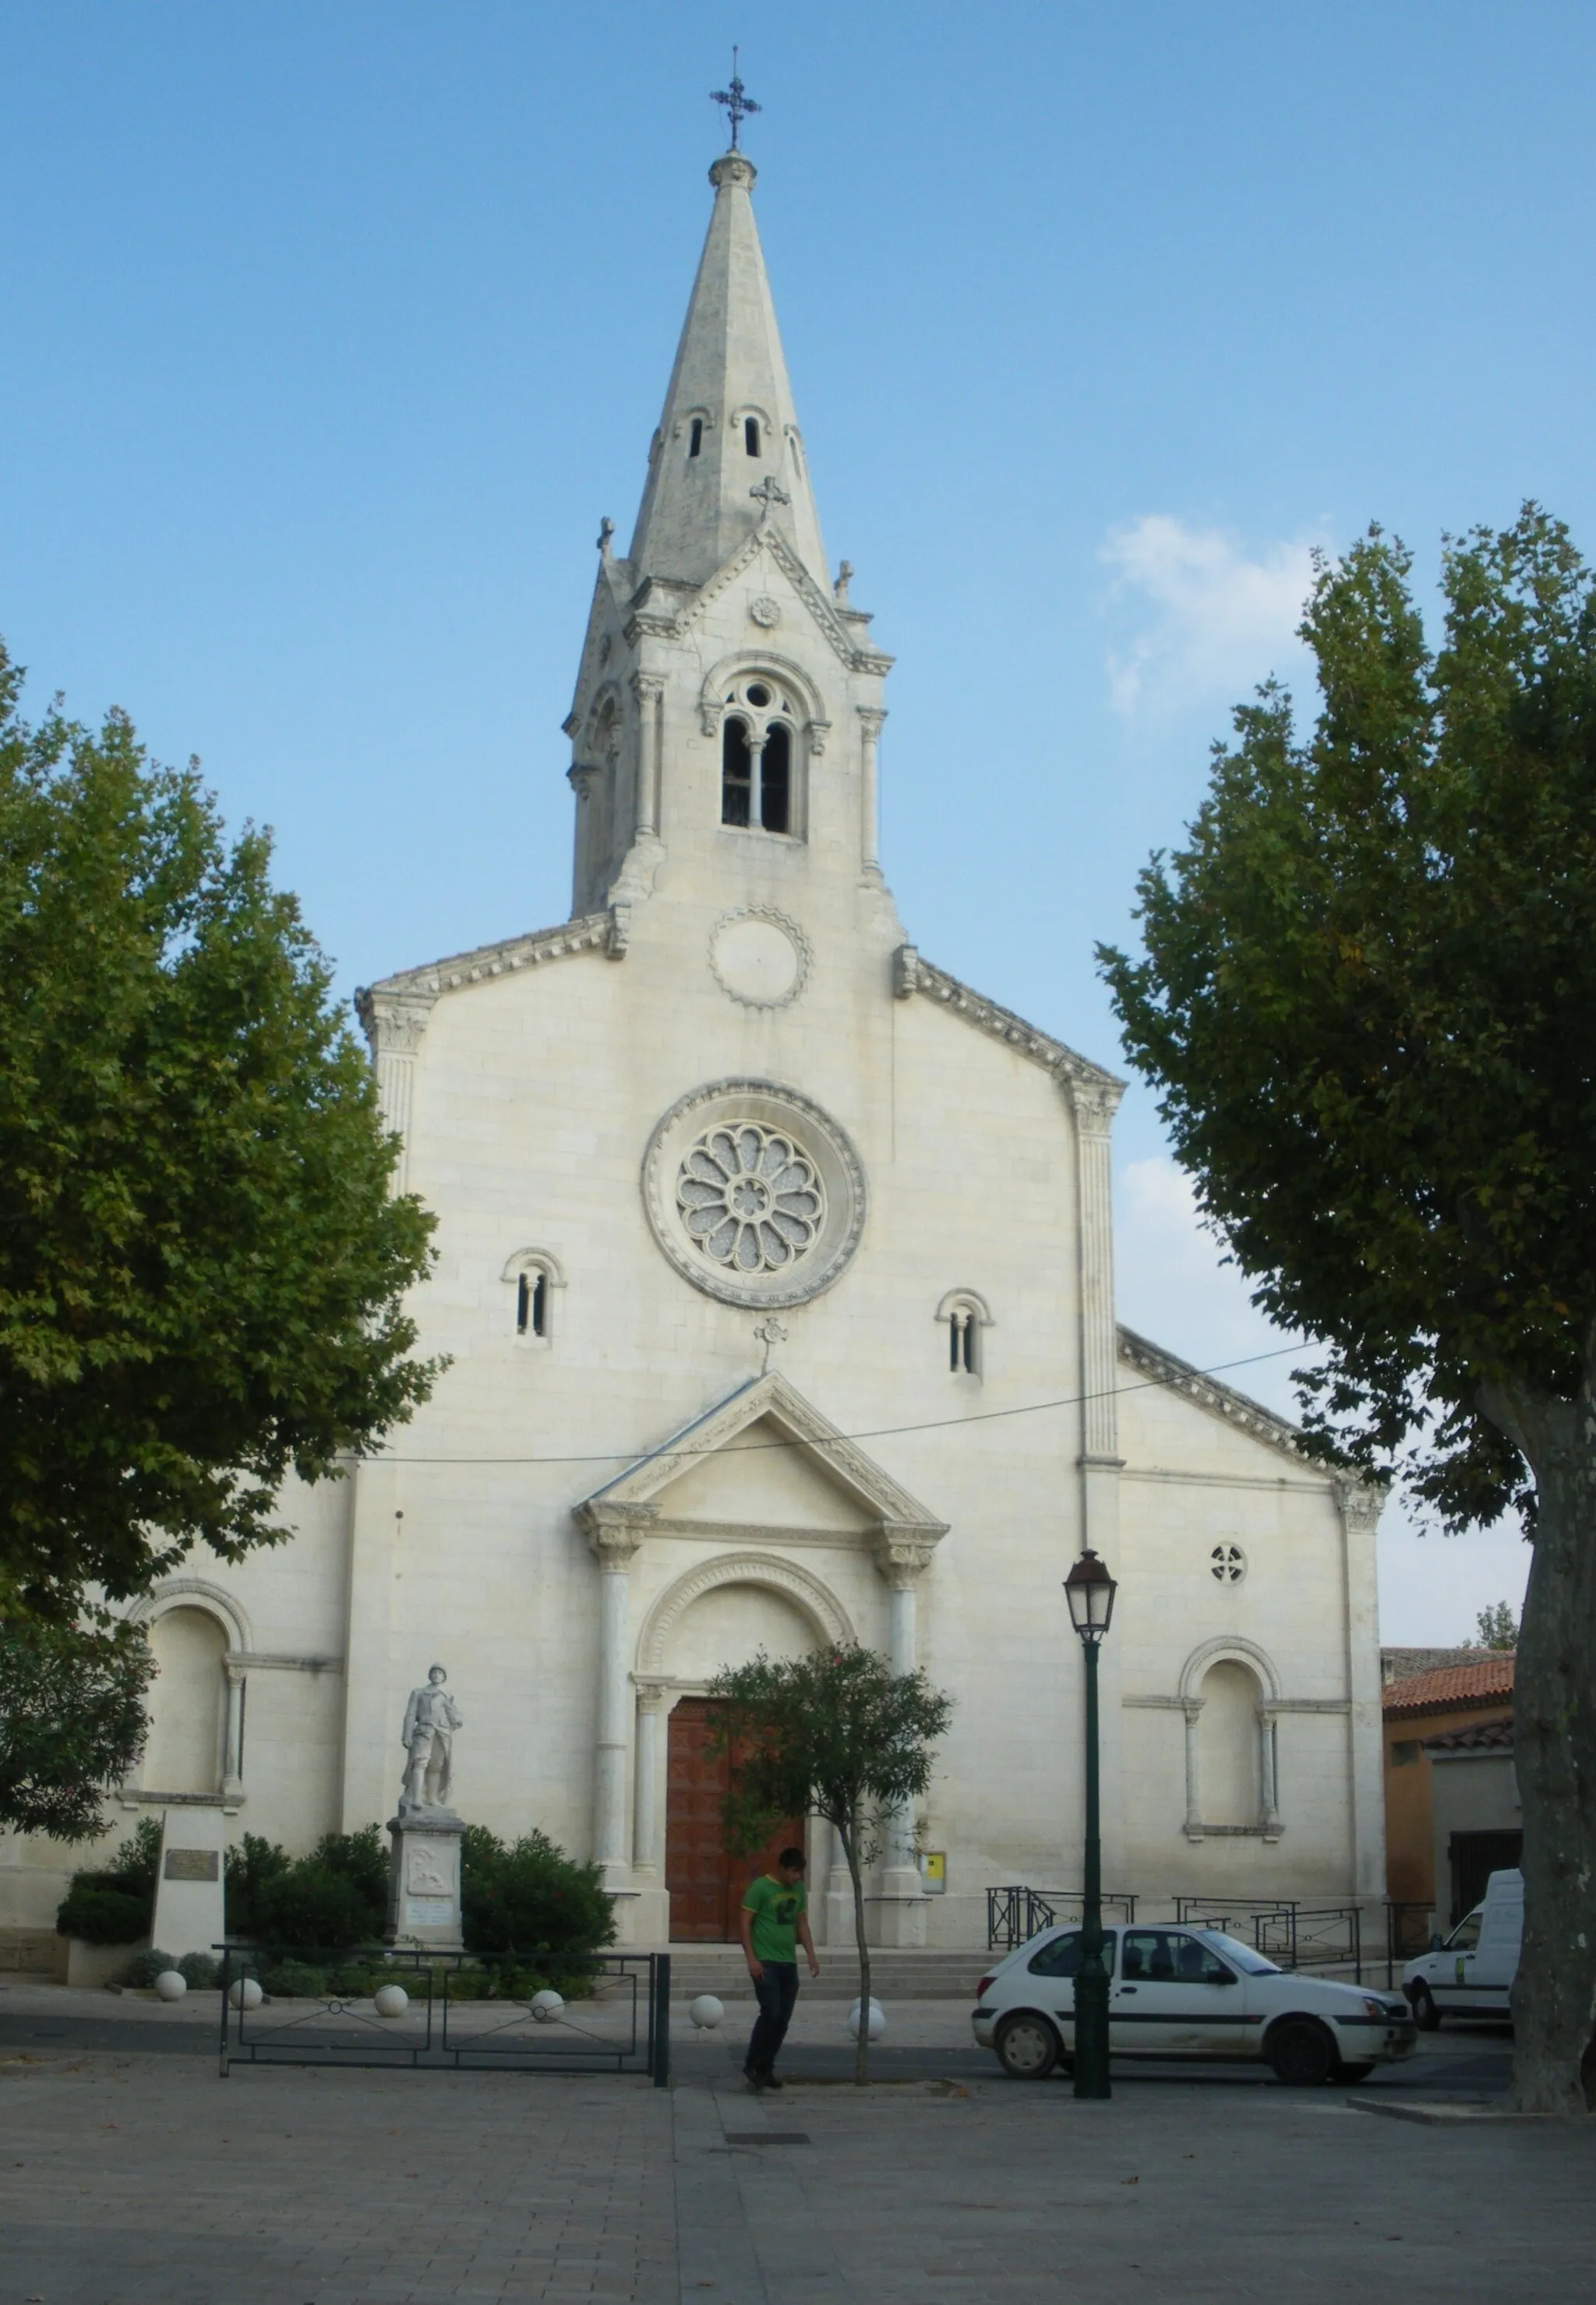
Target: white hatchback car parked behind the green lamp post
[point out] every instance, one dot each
(1189, 1995)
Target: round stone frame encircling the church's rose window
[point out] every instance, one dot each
(822, 1144)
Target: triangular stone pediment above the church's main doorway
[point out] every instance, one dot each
(762, 1460)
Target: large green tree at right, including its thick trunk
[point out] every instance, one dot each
(1367, 1004)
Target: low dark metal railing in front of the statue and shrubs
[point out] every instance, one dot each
(467, 2011)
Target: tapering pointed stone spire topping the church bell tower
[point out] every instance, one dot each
(728, 453)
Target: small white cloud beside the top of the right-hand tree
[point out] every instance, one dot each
(1205, 617)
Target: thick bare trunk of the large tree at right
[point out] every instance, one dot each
(1556, 1753)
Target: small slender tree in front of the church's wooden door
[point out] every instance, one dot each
(841, 1737)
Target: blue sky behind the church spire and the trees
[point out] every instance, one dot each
(336, 328)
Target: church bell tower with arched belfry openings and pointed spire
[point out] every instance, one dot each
(730, 700)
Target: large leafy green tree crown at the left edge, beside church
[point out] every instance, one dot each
(202, 1264)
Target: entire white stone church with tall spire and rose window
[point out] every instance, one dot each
(778, 1280)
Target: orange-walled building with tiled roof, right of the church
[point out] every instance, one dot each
(1422, 1711)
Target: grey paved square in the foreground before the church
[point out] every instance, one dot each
(142, 2177)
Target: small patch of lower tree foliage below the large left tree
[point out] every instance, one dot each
(70, 1723)
